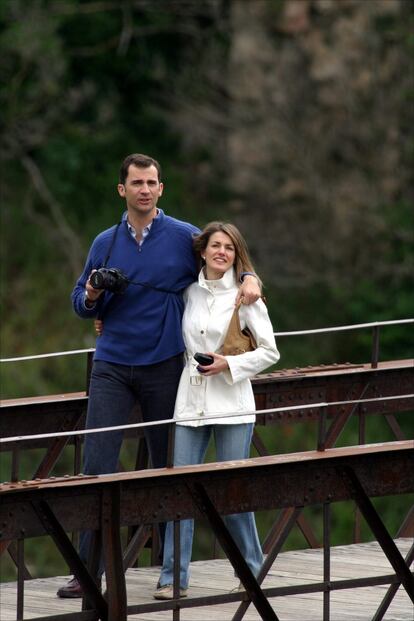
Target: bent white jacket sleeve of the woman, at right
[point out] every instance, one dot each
(256, 318)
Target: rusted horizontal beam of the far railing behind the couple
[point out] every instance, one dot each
(278, 389)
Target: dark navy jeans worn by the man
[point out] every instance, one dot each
(113, 392)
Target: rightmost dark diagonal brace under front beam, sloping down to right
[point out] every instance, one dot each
(383, 537)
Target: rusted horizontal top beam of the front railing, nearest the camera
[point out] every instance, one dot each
(148, 496)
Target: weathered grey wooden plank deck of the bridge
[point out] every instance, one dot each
(215, 577)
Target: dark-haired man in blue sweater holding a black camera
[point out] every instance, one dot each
(139, 354)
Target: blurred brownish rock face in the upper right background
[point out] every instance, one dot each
(315, 131)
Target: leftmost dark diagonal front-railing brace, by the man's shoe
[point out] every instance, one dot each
(65, 546)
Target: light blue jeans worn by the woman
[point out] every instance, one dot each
(232, 442)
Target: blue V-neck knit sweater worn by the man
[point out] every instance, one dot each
(141, 326)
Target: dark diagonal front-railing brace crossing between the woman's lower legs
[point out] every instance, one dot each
(240, 566)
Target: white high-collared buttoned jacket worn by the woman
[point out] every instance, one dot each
(209, 305)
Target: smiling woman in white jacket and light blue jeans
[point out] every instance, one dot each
(222, 387)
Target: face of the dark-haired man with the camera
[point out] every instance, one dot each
(141, 190)
